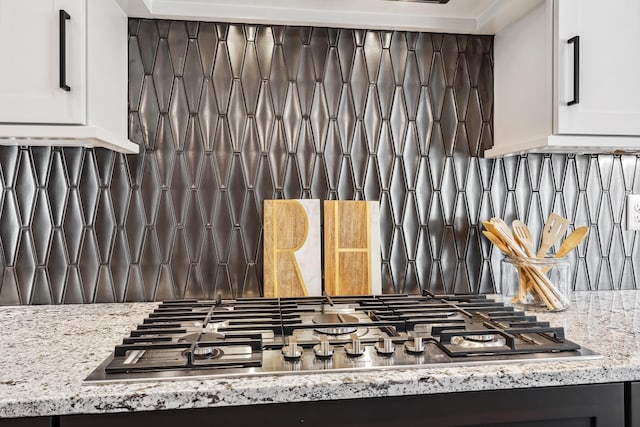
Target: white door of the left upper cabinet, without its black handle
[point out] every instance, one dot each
(30, 72)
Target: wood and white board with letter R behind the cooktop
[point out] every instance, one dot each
(292, 260)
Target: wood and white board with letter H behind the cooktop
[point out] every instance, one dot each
(352, 248)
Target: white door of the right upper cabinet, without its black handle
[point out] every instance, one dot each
(608, 67)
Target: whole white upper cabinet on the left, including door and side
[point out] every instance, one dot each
(64, 75)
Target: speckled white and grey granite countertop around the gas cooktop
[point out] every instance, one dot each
(47, 351)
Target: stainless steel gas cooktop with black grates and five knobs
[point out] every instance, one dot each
(192, 339)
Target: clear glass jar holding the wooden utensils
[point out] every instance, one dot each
(537, 284)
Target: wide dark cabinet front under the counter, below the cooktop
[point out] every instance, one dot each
(601, 405)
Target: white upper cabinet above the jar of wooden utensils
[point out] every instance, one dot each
(566, 79)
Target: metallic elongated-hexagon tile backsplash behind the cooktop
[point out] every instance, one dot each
(231, 115)
